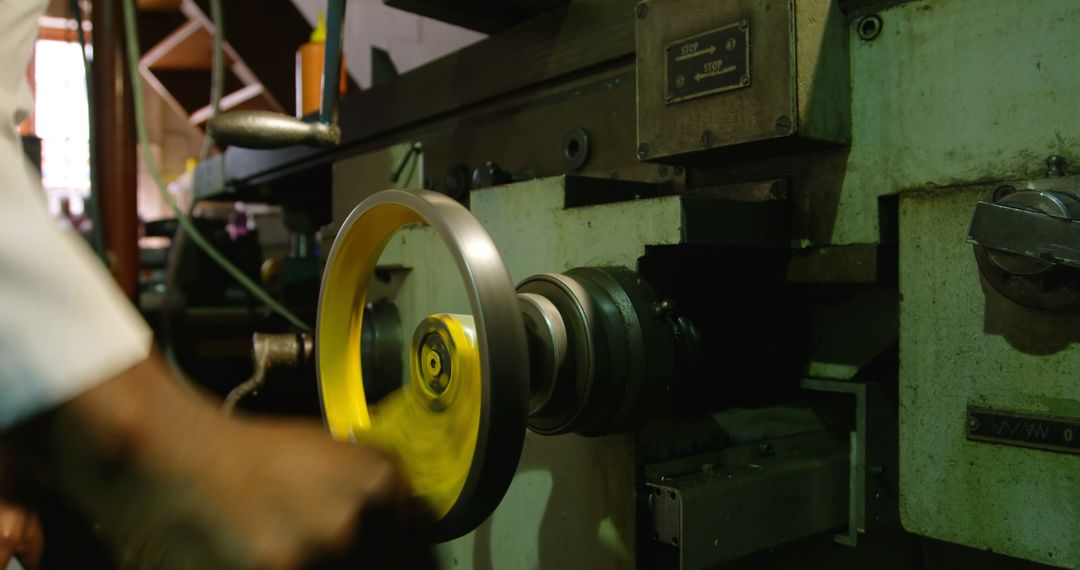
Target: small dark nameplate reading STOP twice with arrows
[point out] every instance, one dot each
(709, 63)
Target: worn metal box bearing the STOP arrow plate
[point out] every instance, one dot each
(712, 76)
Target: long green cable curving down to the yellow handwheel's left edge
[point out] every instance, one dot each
(131, 36)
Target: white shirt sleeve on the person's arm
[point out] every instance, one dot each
(65, 327)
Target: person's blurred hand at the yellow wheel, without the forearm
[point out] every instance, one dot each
(258, 495)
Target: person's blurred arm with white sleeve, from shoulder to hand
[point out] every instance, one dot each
(169, 481)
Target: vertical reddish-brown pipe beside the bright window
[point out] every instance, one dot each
(116, 135)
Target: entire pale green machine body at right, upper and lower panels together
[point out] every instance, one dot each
(953, 100)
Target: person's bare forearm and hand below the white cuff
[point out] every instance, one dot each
(171, 483)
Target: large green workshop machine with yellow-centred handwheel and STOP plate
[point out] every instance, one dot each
(698, 283)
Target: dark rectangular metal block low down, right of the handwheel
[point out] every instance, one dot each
(719, 507)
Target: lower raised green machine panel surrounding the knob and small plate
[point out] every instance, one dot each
(964, 345)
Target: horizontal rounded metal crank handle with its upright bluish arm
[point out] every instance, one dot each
(268, 130)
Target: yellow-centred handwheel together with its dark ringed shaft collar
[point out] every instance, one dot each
(586, 351)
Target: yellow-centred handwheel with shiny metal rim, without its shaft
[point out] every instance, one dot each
(460, 424)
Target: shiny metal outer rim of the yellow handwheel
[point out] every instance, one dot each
(499, 330)
